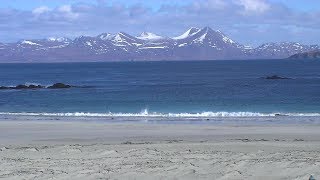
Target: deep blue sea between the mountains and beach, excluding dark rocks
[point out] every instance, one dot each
(191, 88)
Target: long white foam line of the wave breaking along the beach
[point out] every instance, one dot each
(145, 113)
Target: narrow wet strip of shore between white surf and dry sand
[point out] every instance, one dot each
(223, 120)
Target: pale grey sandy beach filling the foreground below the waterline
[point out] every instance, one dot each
(92, 150)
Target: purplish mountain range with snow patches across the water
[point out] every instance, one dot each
(194, 44)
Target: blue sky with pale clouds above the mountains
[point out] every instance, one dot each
(250, 22)
